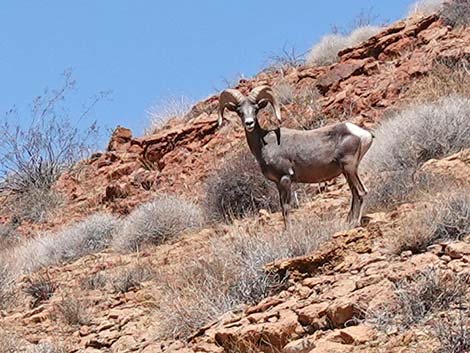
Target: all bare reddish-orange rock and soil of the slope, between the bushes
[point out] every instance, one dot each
(329, 293)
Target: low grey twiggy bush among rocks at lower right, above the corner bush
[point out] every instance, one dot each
(428, 293)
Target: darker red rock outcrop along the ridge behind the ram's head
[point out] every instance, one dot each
(368, 81)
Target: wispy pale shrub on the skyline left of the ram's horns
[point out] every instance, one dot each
(167, 110)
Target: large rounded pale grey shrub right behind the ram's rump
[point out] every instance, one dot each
(408, 139)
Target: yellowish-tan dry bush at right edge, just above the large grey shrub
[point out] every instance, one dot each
(446, 78)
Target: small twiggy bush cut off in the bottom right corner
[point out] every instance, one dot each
(454, 333)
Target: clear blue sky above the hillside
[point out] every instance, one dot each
(145, 51)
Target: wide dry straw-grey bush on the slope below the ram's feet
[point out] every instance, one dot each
(232, 273)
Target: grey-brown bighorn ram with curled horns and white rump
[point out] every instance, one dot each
(312, 156)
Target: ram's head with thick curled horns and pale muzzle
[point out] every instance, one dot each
(247, 108)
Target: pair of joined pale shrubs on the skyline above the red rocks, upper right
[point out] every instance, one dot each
(326, 51)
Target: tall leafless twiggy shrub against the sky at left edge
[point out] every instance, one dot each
(35, 153)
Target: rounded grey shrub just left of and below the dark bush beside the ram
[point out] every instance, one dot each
(160, 220)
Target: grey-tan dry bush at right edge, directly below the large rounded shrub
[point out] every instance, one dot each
(446, 219)
